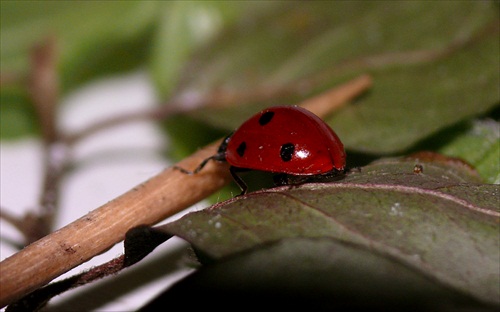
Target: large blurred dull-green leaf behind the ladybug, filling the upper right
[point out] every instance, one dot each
(434, 64)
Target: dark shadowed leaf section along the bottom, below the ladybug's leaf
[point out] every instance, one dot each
(313, 275)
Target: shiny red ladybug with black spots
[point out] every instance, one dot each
(289, 141)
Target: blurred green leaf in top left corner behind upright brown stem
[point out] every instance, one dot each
(94, 38)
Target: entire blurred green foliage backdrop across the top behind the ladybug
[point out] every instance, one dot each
(435, 66)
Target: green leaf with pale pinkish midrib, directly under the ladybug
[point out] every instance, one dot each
(436, 220)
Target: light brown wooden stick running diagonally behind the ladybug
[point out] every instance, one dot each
(161, 196)
